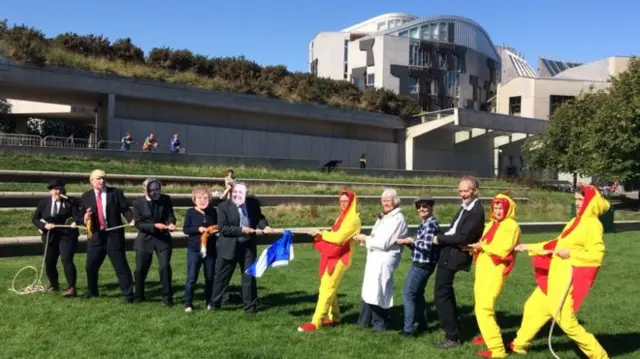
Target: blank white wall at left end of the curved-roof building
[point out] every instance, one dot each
(328, 48)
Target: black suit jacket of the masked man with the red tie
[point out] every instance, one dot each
(117, 206)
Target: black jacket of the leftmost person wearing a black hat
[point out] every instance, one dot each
(68, 209)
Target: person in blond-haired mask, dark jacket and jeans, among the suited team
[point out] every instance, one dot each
(196, 222)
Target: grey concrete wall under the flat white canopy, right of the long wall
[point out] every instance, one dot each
(437, 150)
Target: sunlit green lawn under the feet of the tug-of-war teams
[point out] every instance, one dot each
(46, 325)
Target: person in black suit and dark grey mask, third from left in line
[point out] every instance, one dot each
(154, 219)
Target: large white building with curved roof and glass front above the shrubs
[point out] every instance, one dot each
(440, 61)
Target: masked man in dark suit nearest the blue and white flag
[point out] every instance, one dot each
(238, 218)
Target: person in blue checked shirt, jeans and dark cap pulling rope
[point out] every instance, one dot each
(424, 256)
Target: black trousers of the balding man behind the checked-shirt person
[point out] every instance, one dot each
(445, 300)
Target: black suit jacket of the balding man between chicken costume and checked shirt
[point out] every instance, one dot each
(468, 231)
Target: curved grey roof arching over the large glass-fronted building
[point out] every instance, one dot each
(490, 51)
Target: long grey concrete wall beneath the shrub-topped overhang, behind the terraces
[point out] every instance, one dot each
(236, 142)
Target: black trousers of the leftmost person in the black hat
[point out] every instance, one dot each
(65, 248)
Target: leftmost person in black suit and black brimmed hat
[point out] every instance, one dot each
(59, 210)
